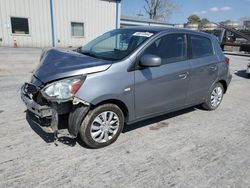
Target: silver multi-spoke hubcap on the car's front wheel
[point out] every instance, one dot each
(104, 127)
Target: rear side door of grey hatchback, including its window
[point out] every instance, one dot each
(204, 68)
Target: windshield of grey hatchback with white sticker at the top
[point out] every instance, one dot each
(115, 45)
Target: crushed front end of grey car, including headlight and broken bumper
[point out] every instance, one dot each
(52, 101)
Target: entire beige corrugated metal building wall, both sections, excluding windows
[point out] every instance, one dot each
(98, 17)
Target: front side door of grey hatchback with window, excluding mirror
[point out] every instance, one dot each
(158, 89)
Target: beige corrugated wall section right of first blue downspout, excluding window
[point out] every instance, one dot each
(98, 17)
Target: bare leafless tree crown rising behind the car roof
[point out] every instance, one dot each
(159, 9)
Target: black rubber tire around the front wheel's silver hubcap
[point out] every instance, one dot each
(85, 129)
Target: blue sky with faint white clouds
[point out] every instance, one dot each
(214, 10)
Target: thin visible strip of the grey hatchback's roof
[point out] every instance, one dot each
(157, 29)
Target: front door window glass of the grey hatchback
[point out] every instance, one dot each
(170, 48)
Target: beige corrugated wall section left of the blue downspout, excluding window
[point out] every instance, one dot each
(37, 12)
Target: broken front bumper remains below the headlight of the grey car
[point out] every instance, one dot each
(48, 115)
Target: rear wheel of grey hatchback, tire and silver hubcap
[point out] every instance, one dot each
(214, 97)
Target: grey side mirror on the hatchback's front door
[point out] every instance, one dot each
(150, 60)
